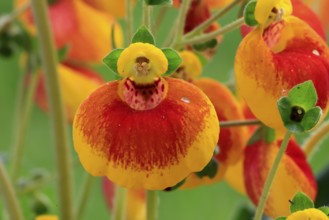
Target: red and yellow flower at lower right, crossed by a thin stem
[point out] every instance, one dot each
(294, 175)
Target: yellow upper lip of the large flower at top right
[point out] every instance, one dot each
(267, 11)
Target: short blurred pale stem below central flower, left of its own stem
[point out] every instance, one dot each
(120, 203)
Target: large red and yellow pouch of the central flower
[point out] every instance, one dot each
(151, 149)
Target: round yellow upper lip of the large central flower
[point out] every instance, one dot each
(142, 62)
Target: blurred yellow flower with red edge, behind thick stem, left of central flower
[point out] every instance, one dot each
(75, 83)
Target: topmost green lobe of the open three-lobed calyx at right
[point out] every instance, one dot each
(303, 95)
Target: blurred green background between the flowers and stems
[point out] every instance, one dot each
(217, 201)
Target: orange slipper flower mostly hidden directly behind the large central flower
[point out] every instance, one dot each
(231, 141)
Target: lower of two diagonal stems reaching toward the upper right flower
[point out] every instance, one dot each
(205, 37)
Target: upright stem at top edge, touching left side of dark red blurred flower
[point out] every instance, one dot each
(181, 22)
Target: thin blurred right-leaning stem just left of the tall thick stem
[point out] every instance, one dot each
(21, 129)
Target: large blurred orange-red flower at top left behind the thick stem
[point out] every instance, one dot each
(72, 23)
